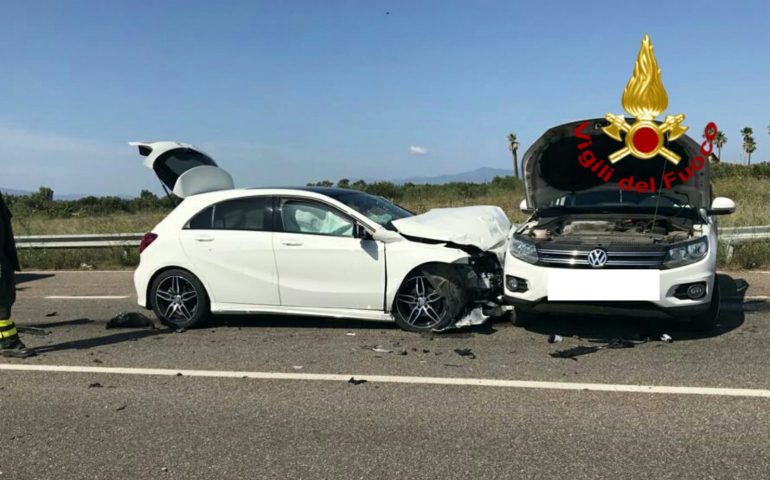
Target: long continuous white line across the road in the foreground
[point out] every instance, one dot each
(476, 382)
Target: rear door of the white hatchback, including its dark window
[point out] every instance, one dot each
(230, 244)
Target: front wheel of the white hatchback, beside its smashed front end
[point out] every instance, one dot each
(431, 298)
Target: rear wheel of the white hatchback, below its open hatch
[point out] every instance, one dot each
(179, 299)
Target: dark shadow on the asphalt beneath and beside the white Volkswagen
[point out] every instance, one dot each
(602, 329)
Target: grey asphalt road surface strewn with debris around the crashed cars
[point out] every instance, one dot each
(131, 424)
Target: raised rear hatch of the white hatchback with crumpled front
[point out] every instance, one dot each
(184, 169)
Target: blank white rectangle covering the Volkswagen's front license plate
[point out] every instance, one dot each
(618, 285)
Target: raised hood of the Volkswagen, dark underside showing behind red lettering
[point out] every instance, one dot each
(552, 170)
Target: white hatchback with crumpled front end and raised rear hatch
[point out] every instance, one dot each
(310, 251)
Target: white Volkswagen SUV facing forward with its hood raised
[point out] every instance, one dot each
(638, 238)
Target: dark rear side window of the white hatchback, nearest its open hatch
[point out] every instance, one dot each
(254, 214)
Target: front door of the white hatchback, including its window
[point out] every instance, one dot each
(321, 262)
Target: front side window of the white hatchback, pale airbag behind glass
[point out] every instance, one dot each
(300, 216)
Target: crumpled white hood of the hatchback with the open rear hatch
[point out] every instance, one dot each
(483, 227)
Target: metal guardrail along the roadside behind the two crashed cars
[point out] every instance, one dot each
(729, 235)
